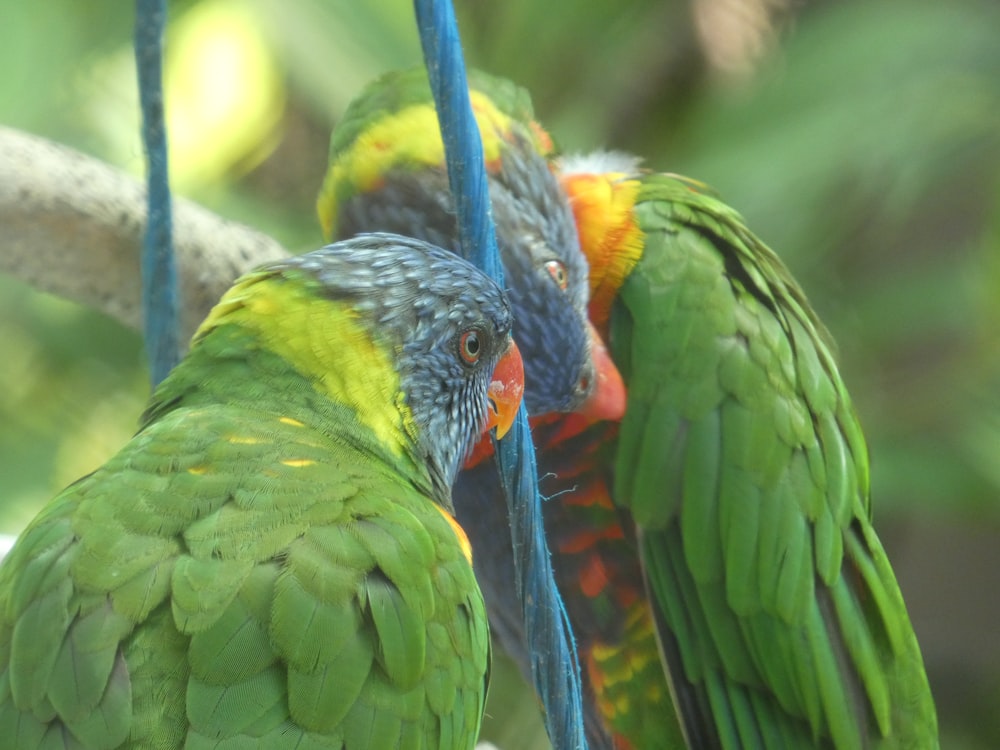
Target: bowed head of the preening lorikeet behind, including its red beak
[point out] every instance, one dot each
(387, 173)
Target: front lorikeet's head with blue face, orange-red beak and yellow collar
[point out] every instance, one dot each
(414, 341)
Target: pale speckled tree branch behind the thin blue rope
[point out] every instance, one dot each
(72, 226)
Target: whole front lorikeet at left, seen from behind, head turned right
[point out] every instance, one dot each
(272, 560)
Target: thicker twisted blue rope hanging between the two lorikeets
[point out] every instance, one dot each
(554, 662)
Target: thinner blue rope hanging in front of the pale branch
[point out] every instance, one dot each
(159, 272)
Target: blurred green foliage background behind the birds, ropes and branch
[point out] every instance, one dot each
(860, 139)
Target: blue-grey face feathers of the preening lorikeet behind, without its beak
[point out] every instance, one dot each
(545, 272)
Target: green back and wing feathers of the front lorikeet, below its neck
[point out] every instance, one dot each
(277, 598)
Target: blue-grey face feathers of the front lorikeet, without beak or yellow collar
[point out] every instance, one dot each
(446, 321)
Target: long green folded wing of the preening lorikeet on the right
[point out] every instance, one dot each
(743, 464)
